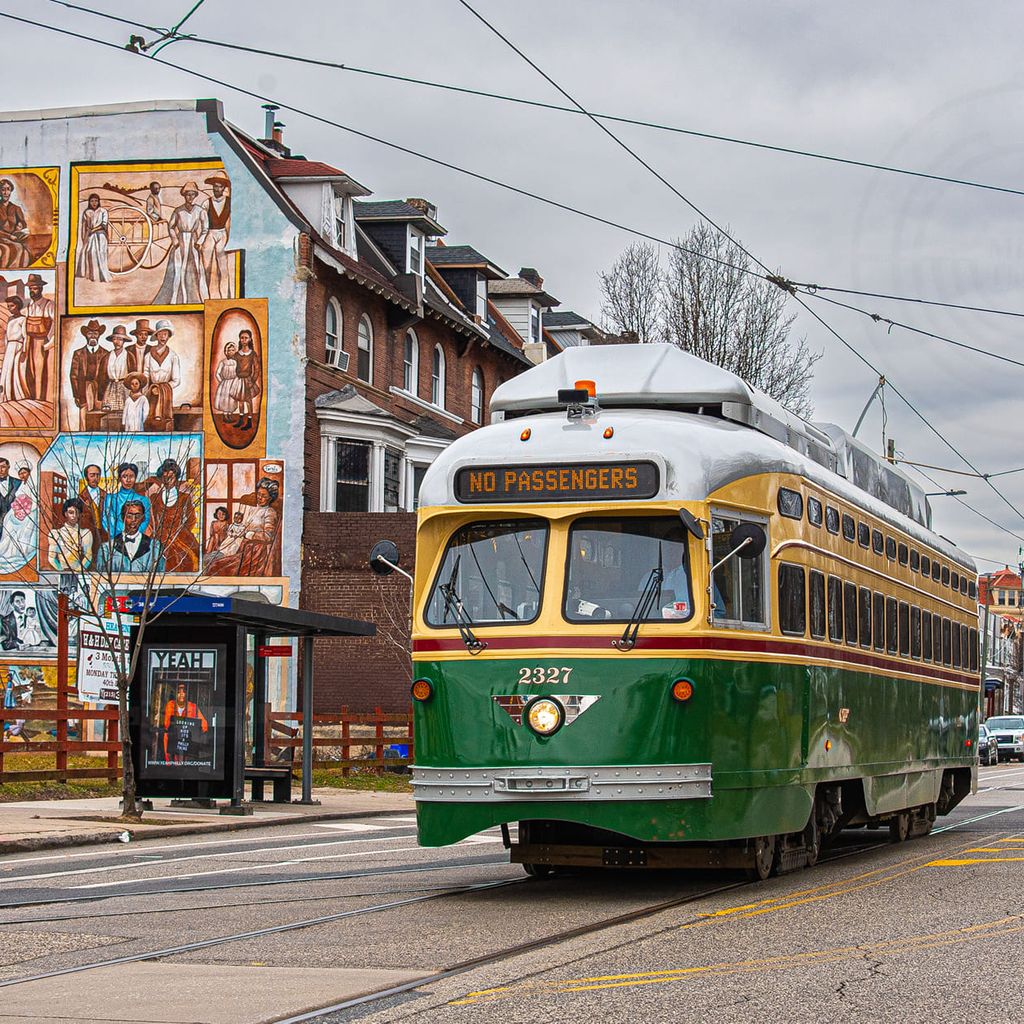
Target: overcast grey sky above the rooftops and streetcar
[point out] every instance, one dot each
(918, 86)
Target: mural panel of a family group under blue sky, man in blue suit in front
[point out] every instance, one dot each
(121, 503)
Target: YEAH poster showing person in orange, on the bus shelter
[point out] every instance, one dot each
(184, 713)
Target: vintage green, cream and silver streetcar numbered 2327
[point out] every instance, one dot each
(662, 622)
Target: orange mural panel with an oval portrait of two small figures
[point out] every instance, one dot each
(236, 371)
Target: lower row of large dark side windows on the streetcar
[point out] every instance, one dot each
(858, 617)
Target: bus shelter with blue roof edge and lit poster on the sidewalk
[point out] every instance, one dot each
(188, 699)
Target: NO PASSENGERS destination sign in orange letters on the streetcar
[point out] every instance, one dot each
(587, 482)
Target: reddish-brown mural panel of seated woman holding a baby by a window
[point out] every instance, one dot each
(242, 516)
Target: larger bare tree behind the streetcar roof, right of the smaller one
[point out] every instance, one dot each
(720, 313)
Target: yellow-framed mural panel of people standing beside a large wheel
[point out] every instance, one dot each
(149, 237)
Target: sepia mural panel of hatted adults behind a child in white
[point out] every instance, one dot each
(132, 374)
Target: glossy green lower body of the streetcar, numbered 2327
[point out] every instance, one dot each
(765, 735)
